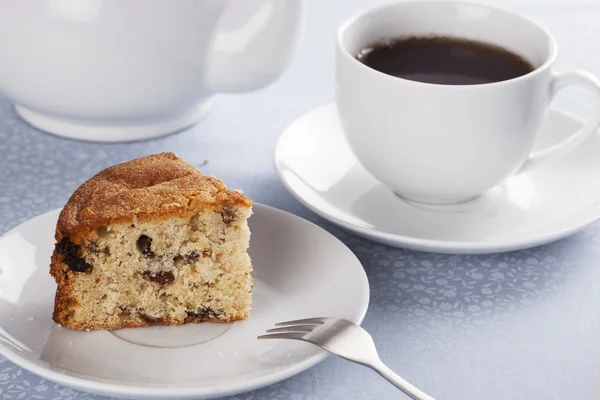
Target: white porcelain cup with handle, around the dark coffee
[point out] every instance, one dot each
(444, 143)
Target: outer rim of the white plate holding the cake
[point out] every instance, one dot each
(198, 392)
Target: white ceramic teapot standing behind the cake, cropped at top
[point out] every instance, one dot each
(113, 70)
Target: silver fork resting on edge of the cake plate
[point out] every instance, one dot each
(347, 340)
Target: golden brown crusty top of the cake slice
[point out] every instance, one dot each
(149, 188)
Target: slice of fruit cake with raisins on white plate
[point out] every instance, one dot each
(152, 241)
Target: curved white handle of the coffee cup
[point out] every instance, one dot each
(560, 81)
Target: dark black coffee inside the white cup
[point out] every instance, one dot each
(444, 60)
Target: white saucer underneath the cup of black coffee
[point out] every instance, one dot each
(316, 165)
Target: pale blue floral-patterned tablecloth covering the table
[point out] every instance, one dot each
(520, 325)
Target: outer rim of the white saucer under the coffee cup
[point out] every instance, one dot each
(419, 244)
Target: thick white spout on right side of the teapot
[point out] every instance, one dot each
(252, 44)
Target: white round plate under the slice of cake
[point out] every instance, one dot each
(300, 271)
